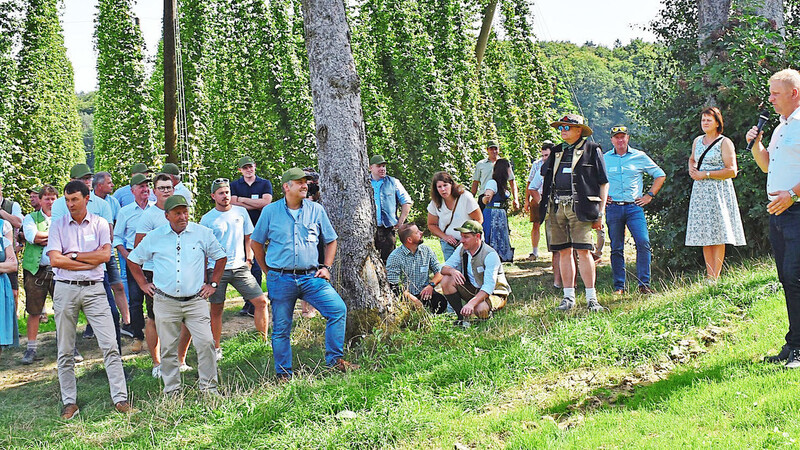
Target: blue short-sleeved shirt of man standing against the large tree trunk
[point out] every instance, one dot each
(292, 243)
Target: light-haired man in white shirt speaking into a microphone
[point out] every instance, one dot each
(781, 162)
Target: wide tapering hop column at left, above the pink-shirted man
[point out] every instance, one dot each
(47, 130)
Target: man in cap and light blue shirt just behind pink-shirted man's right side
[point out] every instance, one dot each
(124, 237)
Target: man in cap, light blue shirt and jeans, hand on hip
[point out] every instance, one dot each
(626, 166)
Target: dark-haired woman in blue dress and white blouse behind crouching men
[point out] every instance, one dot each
(495, 219)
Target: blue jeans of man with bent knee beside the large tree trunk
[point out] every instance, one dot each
(283, 291)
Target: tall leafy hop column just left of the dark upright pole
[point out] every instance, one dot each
(123, 123)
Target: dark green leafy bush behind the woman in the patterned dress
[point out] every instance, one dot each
(746, 52)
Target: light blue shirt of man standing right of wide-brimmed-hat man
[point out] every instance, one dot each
(625, 183)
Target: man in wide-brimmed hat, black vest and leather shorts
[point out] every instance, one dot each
(573, 198)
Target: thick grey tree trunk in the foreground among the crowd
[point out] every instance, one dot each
(359, 274)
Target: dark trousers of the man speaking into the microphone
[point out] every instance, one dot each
(783, 234)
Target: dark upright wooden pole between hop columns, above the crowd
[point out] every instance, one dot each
(170, 83)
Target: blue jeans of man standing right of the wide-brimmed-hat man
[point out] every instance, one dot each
(632, 216)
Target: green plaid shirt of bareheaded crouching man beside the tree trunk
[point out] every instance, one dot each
(412, 269)
